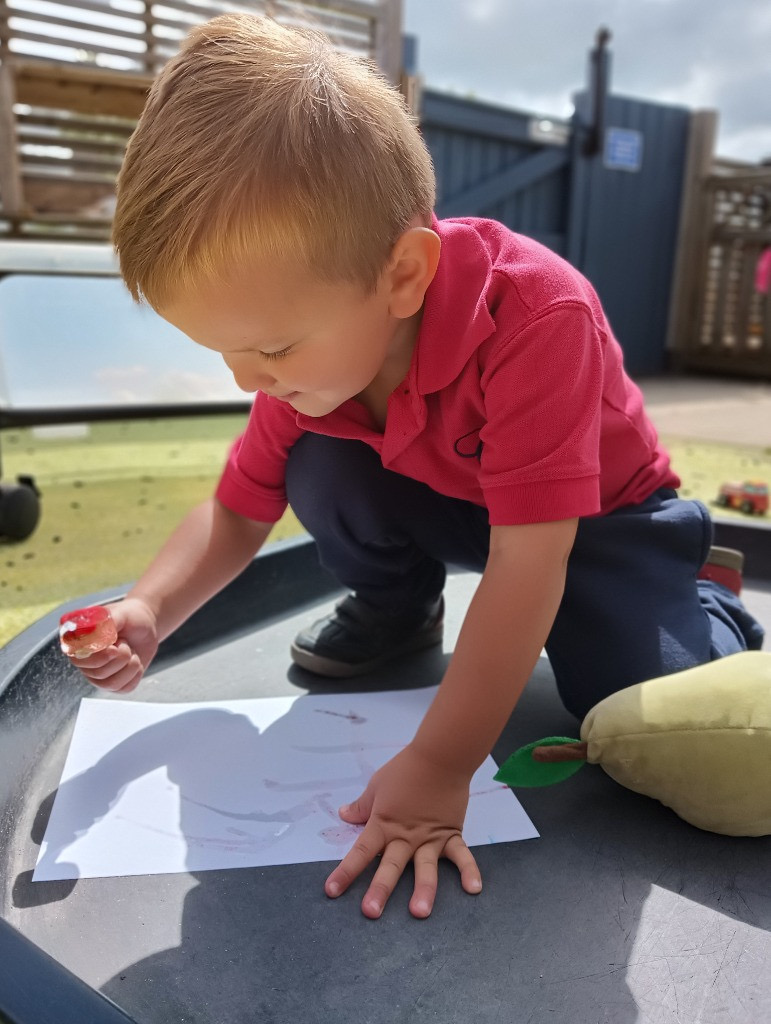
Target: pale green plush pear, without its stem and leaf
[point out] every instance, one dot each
(698, 741)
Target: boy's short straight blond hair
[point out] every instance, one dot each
(261, 141)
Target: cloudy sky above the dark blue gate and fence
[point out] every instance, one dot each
(533, 55)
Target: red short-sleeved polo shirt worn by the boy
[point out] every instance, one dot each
(517, 398)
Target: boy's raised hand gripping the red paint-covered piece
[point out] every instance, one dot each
(120, 668)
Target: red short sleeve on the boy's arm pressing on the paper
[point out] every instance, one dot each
(543, 399)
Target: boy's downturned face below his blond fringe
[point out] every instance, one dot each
(281, 331)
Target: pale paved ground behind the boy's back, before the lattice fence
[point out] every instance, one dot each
(711, 409)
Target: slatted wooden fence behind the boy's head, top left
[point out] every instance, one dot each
(73, 81)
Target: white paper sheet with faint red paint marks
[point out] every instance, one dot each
(151, 789)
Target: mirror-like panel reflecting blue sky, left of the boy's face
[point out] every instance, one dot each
(75, 360)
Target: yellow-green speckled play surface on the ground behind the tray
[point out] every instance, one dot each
(113, 492)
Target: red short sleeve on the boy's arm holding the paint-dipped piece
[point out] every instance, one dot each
(253, 482)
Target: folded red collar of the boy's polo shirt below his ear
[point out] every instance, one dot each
(456, 320)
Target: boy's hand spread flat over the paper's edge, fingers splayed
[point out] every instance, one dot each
(414, 810)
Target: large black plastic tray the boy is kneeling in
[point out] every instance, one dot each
(621, 913)
